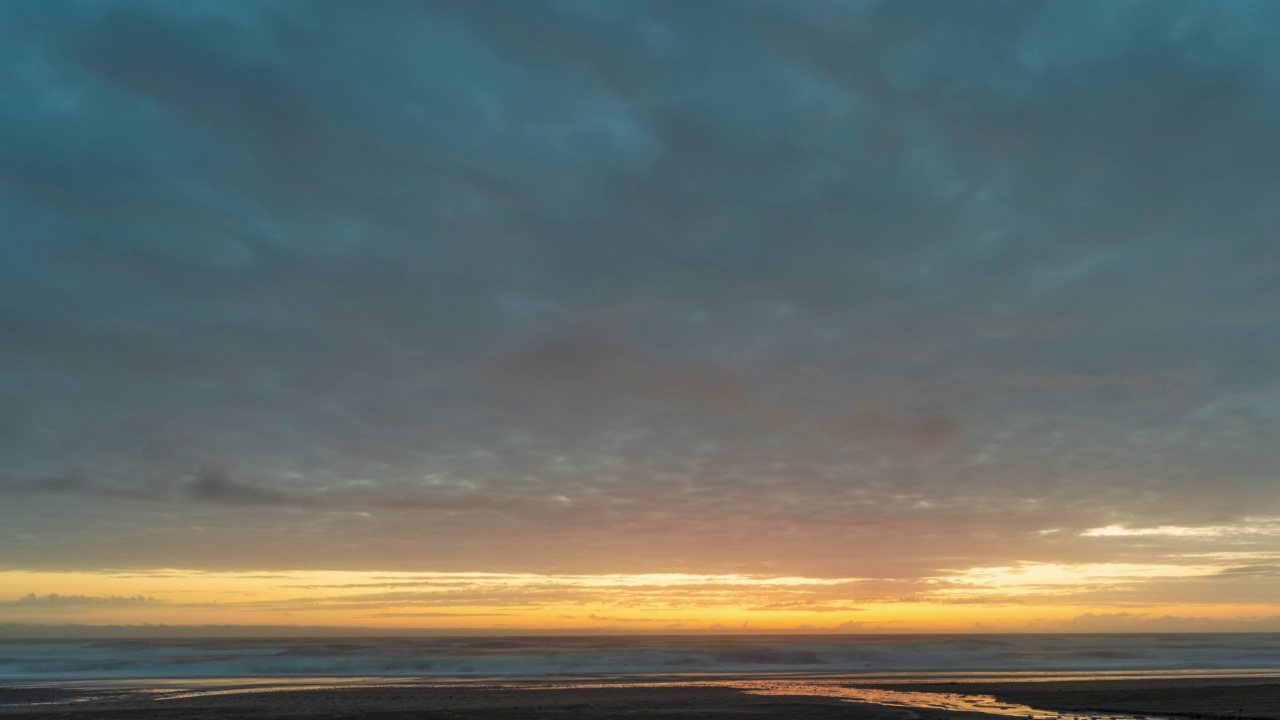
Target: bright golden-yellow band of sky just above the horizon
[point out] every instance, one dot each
(1011, 599)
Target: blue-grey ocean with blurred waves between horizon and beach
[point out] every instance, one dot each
(596, 657)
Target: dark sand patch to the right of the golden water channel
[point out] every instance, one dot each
(1235, 699)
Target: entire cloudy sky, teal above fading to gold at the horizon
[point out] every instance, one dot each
(641, 316)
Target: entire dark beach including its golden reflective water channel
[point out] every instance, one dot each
(1236, 699)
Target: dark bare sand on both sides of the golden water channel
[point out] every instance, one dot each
(1214, 699)
